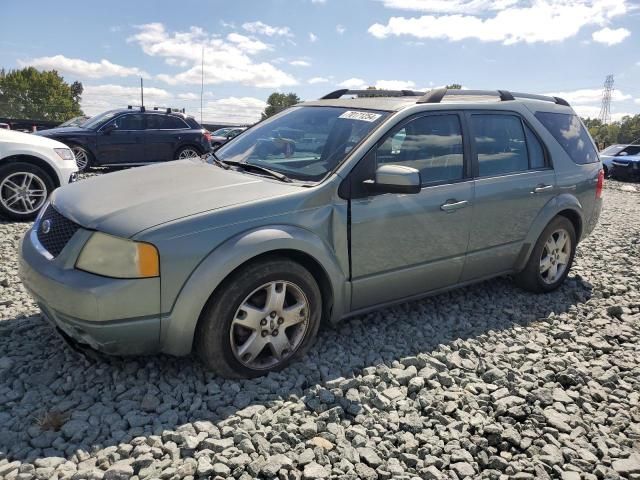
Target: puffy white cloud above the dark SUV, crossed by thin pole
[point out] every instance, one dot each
(225, 60)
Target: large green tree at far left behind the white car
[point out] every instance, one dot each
(31, 94)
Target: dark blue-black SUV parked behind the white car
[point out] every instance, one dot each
(133, 136)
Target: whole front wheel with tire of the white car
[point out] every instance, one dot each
(24, 189)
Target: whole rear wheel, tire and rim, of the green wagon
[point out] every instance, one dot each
(551, 258)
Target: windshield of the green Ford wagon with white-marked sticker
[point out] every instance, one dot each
(303, 143)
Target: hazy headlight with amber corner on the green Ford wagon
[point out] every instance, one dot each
(118, 257)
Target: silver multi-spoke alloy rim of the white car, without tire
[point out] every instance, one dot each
(23, 193)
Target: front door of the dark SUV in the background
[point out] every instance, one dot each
(121, 141)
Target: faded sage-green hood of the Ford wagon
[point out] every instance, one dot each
(127, 202)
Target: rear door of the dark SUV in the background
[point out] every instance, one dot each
(163, 135)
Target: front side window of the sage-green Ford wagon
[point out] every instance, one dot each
(430, 144)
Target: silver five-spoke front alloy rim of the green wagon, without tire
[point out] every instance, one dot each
(269, 325)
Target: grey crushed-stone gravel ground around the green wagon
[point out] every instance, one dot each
(483, 382)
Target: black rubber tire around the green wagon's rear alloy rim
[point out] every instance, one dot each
(531, 278)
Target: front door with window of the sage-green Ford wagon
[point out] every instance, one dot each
(406, 244)
